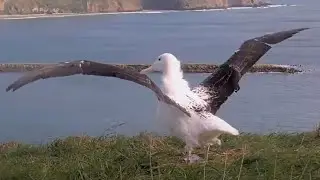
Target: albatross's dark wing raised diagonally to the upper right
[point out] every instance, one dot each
(224, 80)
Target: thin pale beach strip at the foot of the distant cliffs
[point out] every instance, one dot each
(60, 15)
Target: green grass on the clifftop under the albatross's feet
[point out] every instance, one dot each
(249, 156)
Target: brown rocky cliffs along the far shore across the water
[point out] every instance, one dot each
(49, 7)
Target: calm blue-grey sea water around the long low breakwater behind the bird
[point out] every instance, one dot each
(90, 105)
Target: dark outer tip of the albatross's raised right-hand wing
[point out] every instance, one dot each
(275, 38)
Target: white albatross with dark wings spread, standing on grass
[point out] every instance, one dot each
(188, 112)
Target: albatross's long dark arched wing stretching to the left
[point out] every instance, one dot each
(97, 69)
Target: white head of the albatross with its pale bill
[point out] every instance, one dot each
(165, 63)
